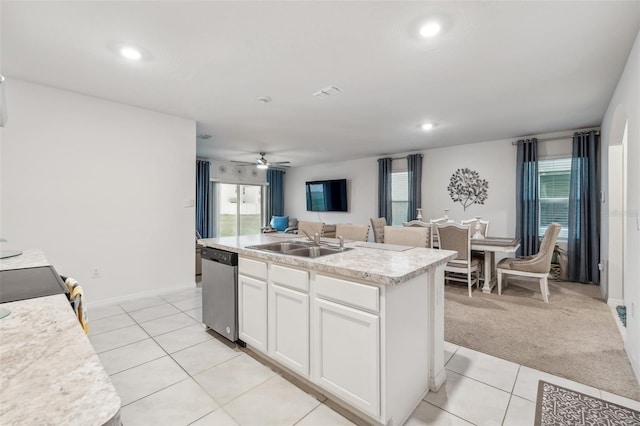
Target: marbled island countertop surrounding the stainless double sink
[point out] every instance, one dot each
(364, 263)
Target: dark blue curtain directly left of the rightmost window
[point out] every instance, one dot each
(527, 197)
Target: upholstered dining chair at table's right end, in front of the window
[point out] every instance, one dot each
(537, 266)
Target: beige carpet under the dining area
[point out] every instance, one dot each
(573, 336)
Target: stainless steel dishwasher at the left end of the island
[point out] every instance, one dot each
(220, 291)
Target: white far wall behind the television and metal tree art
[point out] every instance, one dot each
(495, 161)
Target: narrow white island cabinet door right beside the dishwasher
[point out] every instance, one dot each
(252, 312)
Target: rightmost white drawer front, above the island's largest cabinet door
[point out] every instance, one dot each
(353, 294)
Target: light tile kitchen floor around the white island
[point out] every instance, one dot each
(169, 371)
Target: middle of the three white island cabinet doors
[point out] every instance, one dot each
(289, 328)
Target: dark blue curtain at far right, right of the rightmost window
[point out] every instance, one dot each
(584, 234)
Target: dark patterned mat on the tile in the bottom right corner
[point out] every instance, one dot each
(558, 406)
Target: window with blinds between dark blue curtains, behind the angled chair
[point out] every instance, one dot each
(553, 192)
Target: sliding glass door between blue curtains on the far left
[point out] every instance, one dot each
(238, 209)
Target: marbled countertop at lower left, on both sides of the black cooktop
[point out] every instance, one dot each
(49, 372)
